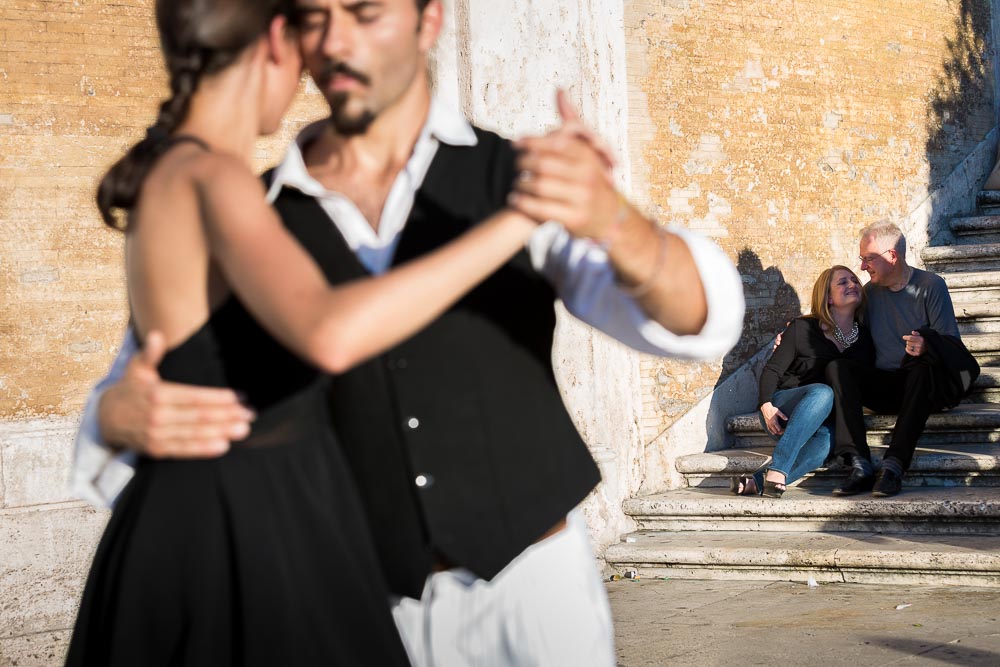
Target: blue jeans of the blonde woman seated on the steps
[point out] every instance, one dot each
(805, 444)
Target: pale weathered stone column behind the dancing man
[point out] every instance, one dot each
(501, 63)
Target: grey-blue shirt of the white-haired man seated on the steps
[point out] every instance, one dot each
(923, 302)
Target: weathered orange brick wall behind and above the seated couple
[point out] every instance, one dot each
(781, 128)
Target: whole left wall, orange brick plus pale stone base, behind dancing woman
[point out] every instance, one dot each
(79, 82)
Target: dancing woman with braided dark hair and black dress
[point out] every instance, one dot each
(260, 556)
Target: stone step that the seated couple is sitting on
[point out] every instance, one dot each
(967, 424)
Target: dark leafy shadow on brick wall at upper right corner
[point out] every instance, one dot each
(960, 109)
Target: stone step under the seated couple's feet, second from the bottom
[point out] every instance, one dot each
(923, 511)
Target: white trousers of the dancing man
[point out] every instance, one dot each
(548, 607)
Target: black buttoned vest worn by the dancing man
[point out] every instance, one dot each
(458, 438)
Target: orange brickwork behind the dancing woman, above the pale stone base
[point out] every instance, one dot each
(79, 82)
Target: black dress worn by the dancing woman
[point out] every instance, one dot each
(259, 557)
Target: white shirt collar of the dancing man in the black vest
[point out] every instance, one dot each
(443, 124)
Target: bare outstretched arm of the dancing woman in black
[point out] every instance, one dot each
(337, 327)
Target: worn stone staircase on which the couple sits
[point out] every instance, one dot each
(944, 528)
